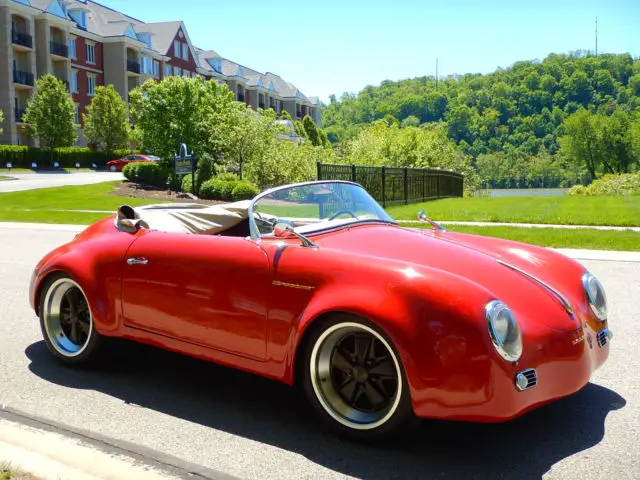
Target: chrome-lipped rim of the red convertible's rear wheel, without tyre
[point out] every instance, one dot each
(67, 317)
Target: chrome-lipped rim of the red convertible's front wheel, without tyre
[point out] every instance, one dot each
(356, 376)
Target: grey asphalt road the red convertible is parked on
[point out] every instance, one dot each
(258, 429)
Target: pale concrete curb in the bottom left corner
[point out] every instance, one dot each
(50, 450)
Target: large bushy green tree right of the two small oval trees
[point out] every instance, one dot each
(182, 110)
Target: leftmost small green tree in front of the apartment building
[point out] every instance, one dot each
(50, 114)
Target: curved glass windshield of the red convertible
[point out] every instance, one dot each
(316, 206)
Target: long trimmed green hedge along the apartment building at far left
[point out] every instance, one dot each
(22, 157)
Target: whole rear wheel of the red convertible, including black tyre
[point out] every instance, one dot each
(66, 322)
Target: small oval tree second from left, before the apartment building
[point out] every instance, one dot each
(106, 123)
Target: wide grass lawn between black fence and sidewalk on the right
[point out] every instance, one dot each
(574, 210)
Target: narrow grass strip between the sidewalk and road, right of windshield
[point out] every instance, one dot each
(558, 237)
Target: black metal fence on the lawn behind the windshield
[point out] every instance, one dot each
(390, 185)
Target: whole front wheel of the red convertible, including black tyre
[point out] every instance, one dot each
(354, 379)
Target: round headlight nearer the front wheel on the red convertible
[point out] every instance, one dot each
(504, 331)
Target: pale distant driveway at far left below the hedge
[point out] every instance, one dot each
(32, 181)
